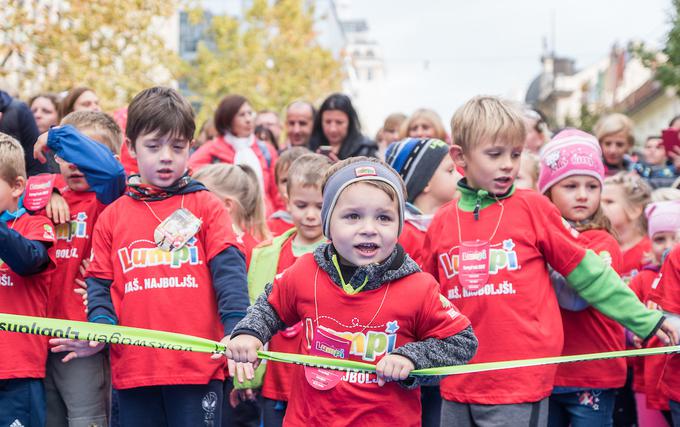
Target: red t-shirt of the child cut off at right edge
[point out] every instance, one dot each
(667, 295)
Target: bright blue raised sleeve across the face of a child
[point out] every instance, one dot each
(103, 172)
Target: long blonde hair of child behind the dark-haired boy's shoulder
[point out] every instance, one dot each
(240, 183)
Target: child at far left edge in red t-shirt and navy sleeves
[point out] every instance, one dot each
(26, 265)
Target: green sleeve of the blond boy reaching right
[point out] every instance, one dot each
(598, 283)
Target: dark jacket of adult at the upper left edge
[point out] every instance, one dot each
(18, 122)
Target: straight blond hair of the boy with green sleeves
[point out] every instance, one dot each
(487, 117)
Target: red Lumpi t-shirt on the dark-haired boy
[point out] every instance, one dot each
(165, 291)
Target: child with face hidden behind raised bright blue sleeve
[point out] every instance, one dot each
(94, 178)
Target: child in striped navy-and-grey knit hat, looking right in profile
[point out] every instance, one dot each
(430, 177)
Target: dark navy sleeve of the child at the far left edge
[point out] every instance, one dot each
(22, 255)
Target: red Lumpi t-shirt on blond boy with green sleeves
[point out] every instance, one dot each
(516, 315)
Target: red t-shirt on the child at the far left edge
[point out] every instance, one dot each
(24, 355)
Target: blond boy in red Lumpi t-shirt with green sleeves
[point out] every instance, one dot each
(489, 251)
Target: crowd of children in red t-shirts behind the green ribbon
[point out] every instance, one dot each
(455, 249)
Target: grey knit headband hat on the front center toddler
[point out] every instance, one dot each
(353, 173)
